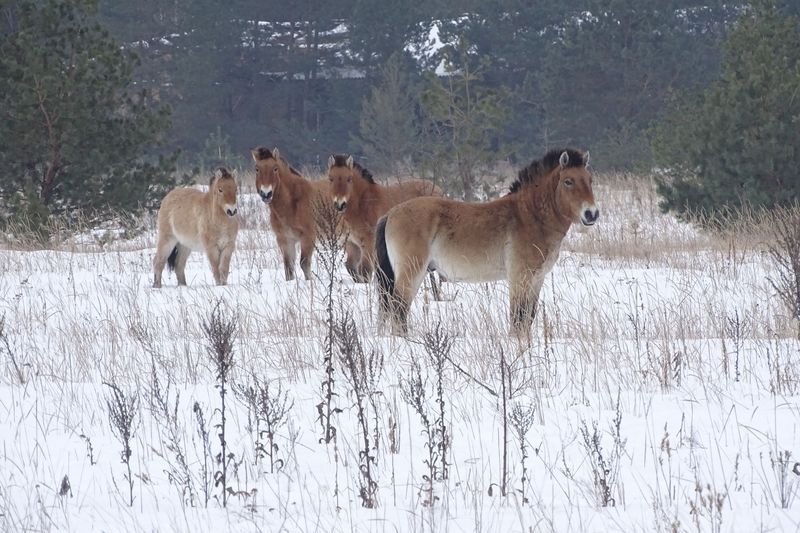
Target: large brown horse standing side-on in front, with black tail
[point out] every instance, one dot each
(516, 237)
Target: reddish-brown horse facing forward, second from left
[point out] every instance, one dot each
(291, 199)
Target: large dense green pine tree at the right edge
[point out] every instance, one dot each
(739, 141)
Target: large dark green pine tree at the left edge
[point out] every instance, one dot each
(73, 135)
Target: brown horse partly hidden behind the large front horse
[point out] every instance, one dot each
(362, 202)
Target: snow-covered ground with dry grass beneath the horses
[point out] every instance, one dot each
(671, 343)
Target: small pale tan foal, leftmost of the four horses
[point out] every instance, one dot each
(192, 220)
